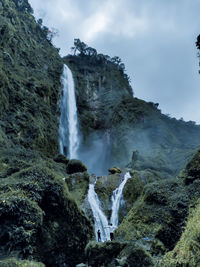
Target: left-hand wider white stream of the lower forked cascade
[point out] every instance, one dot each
(100, 220)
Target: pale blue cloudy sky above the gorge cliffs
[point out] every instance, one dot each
(154, 38)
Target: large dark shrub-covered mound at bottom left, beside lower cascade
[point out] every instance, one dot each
(37, 212)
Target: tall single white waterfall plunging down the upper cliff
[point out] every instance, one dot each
(68, 129)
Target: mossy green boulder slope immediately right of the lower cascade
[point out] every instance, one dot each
(159, 212)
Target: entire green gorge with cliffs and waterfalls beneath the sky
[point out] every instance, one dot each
(114, 145)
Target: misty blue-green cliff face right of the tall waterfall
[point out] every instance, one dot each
(114, 124)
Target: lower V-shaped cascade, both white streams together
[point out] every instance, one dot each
(100, 220)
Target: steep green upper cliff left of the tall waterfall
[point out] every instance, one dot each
(30, 69)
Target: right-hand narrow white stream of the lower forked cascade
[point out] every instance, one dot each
(116, 198)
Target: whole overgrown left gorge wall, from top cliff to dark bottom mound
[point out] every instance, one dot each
(36, 208)
